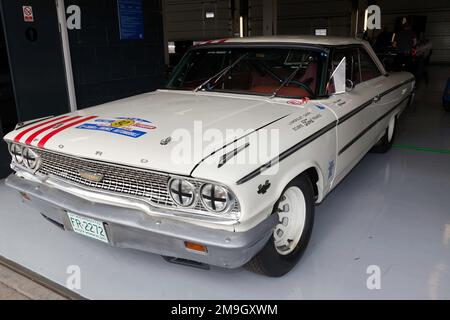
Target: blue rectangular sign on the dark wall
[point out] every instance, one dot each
(131, 19)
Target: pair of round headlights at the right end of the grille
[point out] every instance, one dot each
(215, 198)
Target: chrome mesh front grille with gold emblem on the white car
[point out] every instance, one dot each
(117, 179)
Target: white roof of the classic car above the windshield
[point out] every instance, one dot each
(300, 39)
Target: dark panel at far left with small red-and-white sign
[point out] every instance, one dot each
(36, 58)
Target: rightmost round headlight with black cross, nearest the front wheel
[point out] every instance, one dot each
(215, 198)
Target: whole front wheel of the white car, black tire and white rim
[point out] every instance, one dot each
(295, 210)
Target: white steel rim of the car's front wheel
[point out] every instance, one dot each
(292, 217)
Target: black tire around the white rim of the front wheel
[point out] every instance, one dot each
(273, 264)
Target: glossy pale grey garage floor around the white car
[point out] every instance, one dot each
(391, 212)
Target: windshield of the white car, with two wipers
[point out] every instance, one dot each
(283, 72)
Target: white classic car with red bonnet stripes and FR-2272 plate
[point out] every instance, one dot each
(275, 124)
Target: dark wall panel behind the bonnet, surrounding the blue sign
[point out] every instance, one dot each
(106, 68)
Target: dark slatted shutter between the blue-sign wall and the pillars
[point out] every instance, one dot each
(185, 20)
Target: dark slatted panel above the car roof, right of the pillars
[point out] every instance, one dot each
(303, 16)
